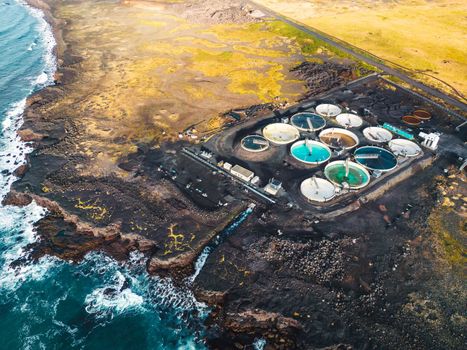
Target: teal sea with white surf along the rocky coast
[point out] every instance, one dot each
(54, 304)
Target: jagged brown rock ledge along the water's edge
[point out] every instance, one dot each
(65, 235)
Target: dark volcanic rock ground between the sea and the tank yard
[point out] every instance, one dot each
(350, 283)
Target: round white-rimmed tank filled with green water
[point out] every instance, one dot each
(347, 174)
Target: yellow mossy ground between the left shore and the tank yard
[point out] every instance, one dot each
(147, 74)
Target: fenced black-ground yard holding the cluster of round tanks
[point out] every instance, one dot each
(328, 155)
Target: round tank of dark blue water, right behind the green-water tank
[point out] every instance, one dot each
(375, 158)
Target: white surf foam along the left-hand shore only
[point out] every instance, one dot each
(18, 223)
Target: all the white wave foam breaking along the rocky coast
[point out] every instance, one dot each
(126, 287)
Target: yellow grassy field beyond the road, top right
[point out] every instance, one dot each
(428, 36)
